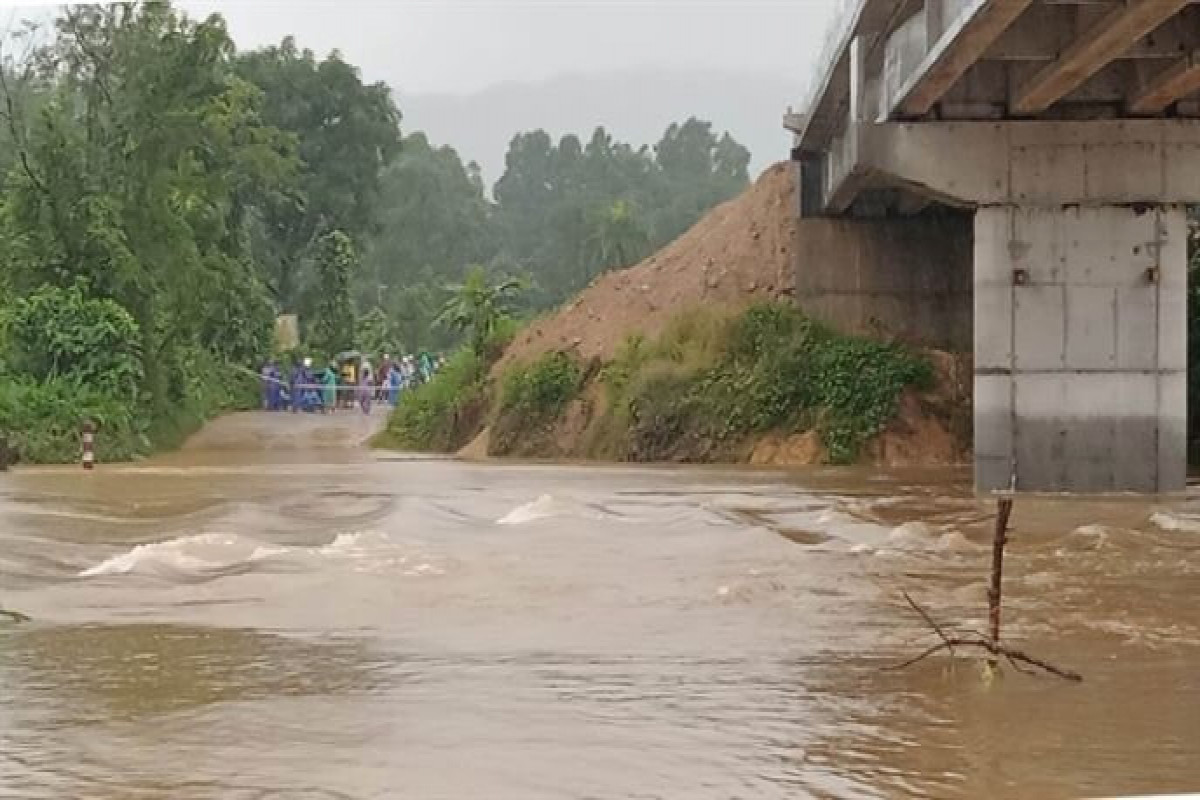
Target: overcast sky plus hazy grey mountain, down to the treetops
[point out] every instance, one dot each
(751, 59)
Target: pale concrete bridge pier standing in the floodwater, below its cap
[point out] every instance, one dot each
(1081, 348)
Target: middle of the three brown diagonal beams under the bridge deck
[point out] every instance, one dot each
(1106, 41)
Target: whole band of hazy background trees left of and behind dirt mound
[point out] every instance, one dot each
(562, 214)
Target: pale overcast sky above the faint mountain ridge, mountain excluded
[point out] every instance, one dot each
(464, 46)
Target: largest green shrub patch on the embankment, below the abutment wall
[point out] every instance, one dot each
(709, 383)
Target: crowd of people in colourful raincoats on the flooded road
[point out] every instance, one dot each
(346, 384)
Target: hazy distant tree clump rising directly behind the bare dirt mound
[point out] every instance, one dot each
(567, 212)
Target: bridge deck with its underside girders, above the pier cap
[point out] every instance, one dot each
(1004, 59)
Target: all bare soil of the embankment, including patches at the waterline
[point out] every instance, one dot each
(739, 255)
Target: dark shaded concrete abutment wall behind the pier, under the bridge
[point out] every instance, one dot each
(908, 279)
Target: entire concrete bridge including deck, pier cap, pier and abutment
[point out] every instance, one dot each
(1045, 151)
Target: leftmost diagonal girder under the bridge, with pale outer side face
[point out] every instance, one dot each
(956, 52)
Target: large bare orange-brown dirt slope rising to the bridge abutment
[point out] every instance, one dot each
(737, 254)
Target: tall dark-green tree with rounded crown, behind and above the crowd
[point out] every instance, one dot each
(346, 133)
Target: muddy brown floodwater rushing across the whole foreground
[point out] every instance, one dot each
(277, 612)
